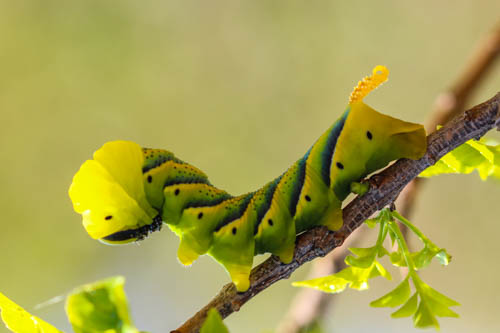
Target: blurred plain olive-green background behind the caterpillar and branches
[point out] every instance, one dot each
(241, 90)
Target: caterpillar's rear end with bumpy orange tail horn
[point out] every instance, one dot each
(370, 140)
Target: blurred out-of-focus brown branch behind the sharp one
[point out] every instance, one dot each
(447, 105)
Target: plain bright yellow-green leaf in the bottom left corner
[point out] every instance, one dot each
(20, 321)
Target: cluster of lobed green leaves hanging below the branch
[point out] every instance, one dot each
(425, 304)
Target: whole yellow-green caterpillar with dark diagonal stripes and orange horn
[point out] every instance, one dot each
(126, 192)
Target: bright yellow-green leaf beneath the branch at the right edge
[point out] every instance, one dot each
(482, 156)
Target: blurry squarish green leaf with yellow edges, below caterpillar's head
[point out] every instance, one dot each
(100, 307)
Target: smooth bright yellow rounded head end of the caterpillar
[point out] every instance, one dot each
(109, 193)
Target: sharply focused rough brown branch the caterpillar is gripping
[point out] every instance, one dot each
(385, 187)
